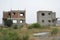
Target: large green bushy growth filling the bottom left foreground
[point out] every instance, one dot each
(9, 35)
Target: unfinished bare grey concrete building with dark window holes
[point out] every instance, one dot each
(47, 18)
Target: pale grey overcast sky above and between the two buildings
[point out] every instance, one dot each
(31, 7)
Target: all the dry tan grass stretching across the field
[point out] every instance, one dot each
(30, 32)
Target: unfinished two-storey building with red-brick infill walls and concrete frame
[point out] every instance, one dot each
(17, 16)
